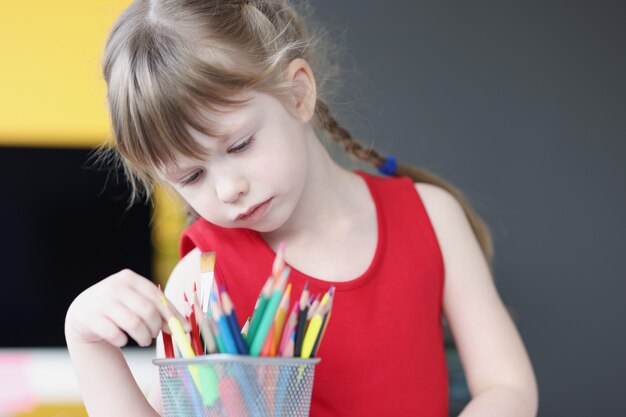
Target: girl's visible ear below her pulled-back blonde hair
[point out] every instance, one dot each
(299, 73)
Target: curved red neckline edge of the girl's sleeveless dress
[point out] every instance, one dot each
(298, 276)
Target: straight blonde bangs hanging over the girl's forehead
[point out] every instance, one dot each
(158, 97)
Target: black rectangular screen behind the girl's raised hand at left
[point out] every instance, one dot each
(64, 225)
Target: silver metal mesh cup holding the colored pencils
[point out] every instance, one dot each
(236, 386)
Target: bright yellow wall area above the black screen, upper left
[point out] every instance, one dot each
(51, 87)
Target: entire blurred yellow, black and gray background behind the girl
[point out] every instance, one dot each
(522, 105)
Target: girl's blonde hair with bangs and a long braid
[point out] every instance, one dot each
(165, 59)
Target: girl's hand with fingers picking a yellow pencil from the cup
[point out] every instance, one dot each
(124, 304)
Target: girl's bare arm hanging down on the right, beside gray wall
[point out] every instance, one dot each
(498, 370)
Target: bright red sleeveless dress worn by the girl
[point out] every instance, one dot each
(383, 351)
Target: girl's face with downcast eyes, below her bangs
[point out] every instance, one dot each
(255, 172)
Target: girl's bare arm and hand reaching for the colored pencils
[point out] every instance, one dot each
(97, 324)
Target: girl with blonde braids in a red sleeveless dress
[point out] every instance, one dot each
(222, 102)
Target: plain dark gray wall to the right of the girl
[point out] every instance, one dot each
(522, 105)
